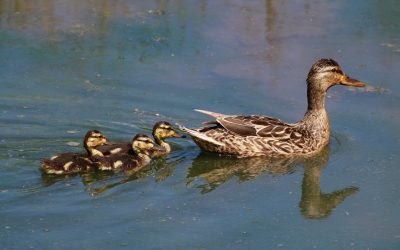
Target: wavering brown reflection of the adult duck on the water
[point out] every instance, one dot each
(313, 204)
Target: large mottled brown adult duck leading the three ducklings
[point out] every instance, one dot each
(257, 135)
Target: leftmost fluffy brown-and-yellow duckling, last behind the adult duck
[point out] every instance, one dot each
(68, 163)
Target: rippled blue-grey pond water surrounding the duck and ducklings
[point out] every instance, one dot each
(120, 66)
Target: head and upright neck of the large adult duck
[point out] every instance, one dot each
(324, 74)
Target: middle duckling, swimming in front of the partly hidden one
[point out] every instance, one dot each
(142, 148)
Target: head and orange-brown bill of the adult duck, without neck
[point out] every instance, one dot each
(326, 73)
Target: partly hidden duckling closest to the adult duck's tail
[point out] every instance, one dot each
(161, 131)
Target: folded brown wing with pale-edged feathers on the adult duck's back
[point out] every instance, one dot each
(253, 125)
